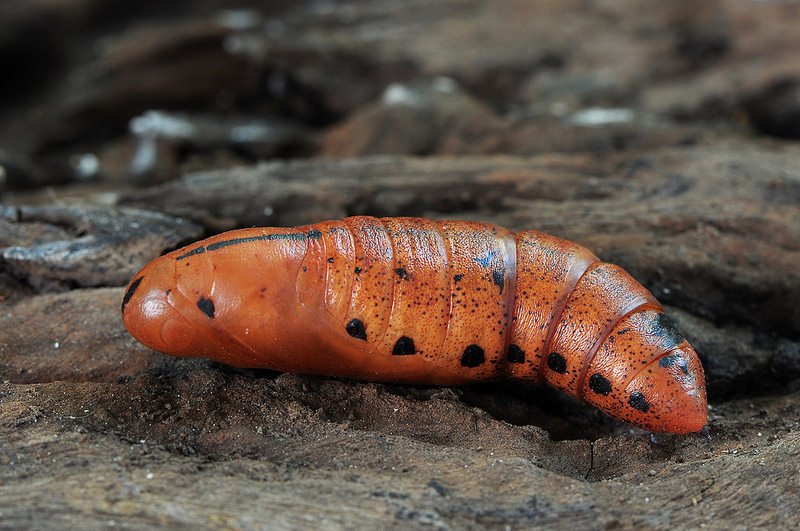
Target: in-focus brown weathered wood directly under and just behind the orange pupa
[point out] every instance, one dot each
(81, 387)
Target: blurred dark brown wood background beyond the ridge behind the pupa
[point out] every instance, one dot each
(105, 94)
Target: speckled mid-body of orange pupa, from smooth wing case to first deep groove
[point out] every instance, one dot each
(415, 292)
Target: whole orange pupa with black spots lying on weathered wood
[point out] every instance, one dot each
(413, 300)
